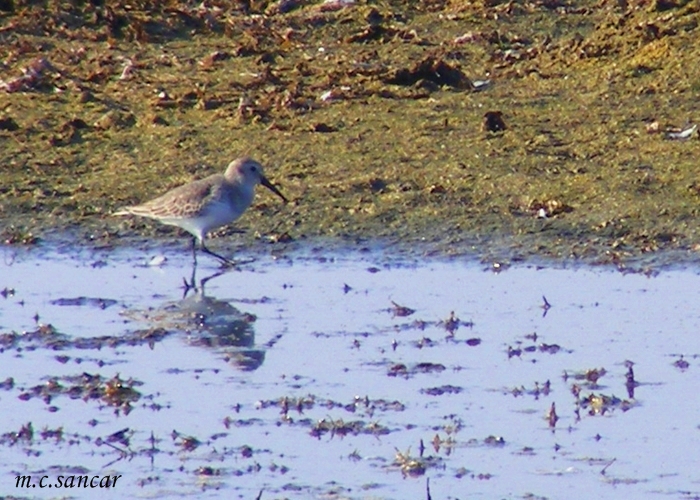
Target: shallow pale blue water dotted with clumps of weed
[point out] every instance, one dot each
(364, 384)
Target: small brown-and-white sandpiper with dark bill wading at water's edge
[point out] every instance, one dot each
(201, 206)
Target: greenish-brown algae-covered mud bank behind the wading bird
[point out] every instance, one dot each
(561, 129)
